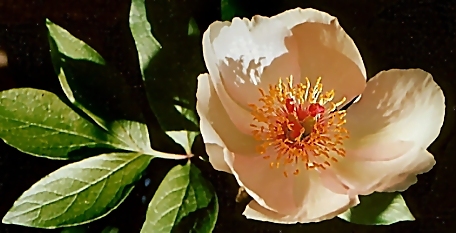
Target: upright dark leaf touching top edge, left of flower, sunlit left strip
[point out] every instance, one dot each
(167, 83)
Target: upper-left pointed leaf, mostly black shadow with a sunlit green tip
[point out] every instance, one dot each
(88, 81)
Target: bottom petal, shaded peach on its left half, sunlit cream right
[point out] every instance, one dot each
(302, 198)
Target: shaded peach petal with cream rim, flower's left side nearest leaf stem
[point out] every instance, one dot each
(215, 125)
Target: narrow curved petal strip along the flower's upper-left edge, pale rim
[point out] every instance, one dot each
(240, 117)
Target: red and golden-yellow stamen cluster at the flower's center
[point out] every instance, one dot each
(301, 124)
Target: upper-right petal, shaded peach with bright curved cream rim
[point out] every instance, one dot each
(326, 50)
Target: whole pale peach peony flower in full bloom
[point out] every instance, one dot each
(272, 111)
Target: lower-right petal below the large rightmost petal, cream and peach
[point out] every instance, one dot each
(363, 177)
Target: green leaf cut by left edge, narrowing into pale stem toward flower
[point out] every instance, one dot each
(37, 122)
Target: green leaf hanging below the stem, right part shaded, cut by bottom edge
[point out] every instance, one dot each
(184, 202)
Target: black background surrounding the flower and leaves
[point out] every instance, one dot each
(388, 33)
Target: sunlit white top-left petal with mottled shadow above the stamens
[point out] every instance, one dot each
(254, 54)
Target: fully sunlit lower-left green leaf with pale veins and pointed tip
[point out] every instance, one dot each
(78, 193)
